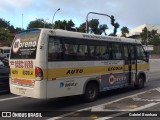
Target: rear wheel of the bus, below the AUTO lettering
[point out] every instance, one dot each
(91, 92)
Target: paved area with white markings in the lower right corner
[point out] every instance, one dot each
(144, 104)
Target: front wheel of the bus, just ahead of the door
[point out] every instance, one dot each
(140, 82)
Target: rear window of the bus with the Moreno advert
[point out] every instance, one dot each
(24, 45)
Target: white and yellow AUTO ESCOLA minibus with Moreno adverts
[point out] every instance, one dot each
(52, 63)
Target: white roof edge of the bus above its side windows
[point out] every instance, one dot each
(65, 33)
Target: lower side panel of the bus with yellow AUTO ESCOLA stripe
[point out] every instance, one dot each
(71, 80)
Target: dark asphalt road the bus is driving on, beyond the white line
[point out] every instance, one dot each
(13, 103)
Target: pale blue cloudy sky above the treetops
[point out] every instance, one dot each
(129, 13)
